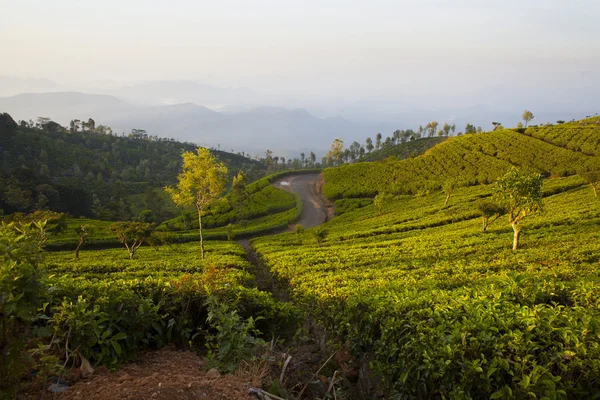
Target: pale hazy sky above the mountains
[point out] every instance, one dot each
(334, 48)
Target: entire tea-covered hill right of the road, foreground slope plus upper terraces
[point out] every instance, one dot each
(439, 307)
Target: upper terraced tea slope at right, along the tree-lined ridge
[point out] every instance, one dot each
(469, 160)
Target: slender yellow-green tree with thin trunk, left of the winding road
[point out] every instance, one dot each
(201, 181)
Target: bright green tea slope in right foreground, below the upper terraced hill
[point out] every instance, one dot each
(442, 308)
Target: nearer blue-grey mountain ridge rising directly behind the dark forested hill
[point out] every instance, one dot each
(288, 132)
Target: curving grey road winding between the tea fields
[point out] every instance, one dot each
(305, 186)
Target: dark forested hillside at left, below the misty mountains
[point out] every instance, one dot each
(90, 174)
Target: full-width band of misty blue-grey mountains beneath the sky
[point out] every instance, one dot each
(242, 119)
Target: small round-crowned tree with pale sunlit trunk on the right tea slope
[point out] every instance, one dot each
(520, 195)
